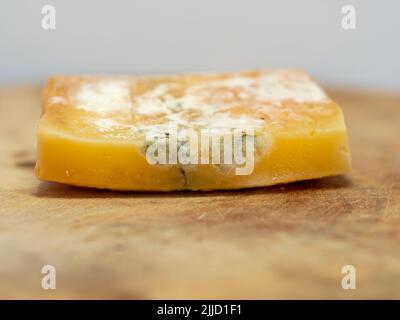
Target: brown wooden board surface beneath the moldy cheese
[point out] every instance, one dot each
(278, 242)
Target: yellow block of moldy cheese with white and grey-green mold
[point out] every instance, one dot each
(113, 132)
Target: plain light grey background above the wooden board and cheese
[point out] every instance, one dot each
(164, 36)
